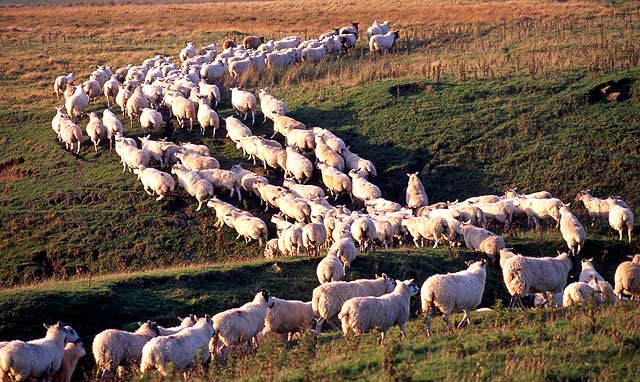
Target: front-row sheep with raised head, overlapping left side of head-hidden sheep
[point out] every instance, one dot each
(240, 325)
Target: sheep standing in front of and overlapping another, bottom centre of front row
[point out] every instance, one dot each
(361, 314)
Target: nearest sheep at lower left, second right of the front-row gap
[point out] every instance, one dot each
(182, 350)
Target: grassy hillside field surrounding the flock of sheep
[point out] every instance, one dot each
(478, 97)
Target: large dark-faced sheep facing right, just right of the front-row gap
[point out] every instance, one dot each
(529, 275)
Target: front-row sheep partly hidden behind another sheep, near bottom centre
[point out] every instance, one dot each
(328, 298)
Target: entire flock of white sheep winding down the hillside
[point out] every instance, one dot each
(305, 220)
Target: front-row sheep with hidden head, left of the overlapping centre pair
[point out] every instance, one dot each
(288, 317)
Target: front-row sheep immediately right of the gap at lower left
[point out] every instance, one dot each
(113, 348)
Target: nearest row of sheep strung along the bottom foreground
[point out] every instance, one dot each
(361, 306)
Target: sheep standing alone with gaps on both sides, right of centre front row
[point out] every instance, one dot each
(454, 292)
